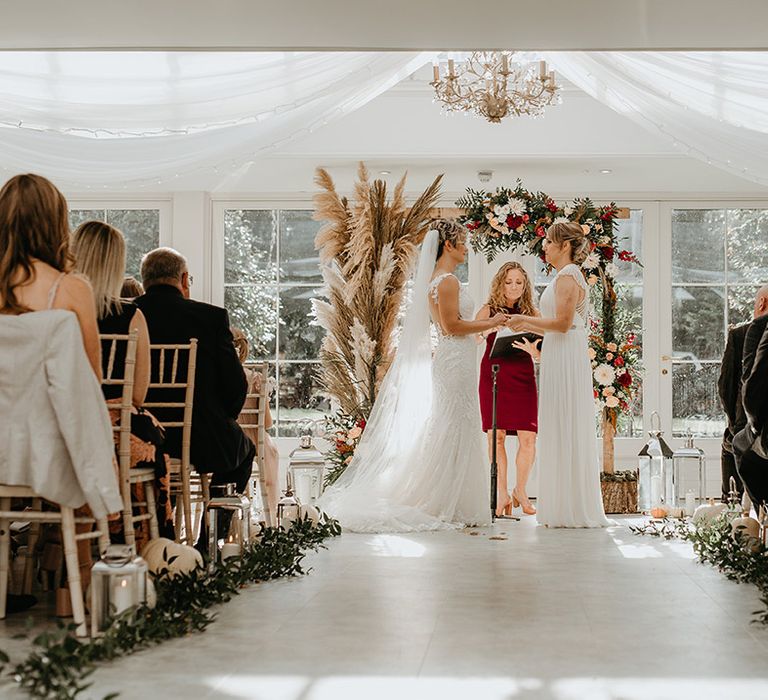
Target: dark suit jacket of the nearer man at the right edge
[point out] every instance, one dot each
(754, 374)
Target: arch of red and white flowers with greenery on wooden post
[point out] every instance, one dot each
(517, 219)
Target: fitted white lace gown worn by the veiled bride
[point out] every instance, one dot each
(452, 483)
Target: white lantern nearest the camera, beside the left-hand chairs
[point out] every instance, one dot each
(118, 583)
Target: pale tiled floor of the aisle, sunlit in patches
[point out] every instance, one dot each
(562, 614)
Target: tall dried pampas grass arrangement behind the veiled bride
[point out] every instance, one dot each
(367, 249)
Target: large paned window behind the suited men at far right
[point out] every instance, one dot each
(719, 260)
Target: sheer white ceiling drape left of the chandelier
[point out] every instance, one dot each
(101, 118)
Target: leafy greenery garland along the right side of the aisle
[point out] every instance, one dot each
(740, 557)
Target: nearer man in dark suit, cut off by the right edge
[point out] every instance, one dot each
(750, 463)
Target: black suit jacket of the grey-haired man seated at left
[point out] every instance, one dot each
(218, 443)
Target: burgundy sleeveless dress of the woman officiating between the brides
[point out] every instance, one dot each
(516, 400)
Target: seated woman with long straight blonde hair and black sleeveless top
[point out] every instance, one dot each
(99, 251)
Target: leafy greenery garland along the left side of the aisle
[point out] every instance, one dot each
(60, 665)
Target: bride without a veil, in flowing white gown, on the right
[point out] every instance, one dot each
(569, 472)
